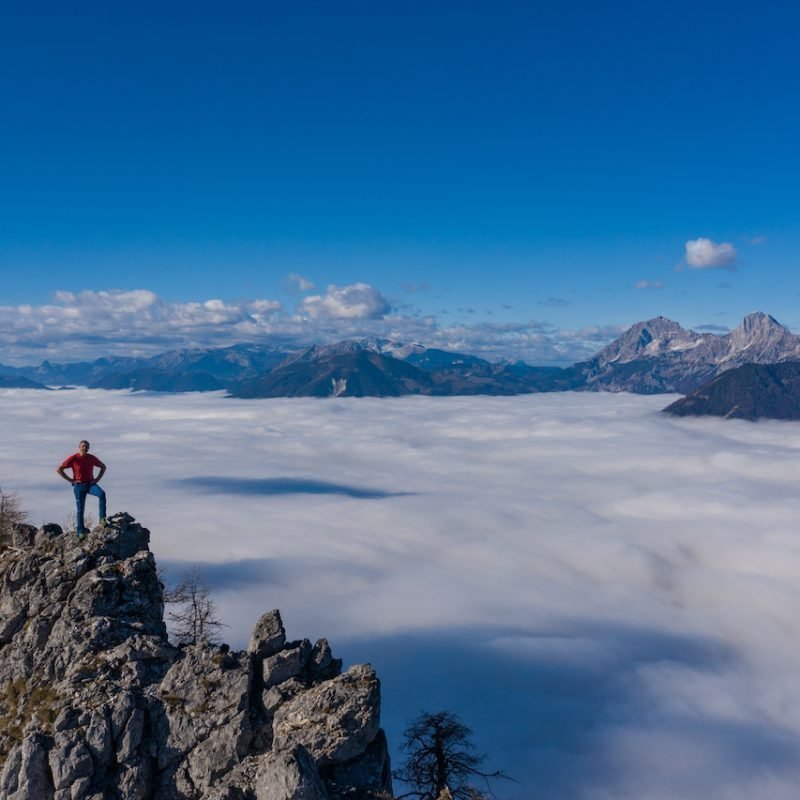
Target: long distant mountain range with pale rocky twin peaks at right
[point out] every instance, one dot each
(651, 357)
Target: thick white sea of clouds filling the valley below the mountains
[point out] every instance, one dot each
(607, 595)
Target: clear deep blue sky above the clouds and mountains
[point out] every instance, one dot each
(541, 166)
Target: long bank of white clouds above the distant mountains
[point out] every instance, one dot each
(91, 324)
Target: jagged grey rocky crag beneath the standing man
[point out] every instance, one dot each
(95, 703)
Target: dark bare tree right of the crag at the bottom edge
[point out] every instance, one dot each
(441, 759)
